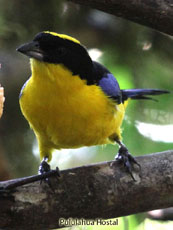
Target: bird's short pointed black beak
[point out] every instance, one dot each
(31, 50)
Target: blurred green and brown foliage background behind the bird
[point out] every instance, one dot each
(138, 56)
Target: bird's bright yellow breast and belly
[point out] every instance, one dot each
(64, 112)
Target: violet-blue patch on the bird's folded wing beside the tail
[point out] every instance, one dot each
(110, 86)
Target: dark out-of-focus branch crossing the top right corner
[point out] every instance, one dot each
(157, 14)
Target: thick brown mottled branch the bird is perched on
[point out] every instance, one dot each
(92, 191)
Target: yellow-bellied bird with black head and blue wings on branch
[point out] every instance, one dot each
(71, 101)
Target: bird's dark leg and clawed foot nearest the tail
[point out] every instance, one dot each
(126, 158)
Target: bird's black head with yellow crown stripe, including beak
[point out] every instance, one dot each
(56, 48)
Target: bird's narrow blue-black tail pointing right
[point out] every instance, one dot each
(141, 93)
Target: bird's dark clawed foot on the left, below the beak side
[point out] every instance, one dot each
(45, 168)
